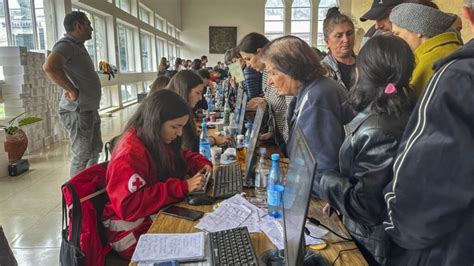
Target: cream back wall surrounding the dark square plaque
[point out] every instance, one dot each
(198, 15)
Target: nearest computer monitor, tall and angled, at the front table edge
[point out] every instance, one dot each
(296, 197)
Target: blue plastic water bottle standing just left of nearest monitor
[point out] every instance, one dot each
(275, 188)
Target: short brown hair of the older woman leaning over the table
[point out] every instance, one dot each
(293, 57)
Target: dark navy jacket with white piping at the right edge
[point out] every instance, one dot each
(431, 200)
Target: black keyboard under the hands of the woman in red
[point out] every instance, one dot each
(228, 181)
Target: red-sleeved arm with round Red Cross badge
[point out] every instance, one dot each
(131, 192)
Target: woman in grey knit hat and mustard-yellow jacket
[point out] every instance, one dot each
(427, 32)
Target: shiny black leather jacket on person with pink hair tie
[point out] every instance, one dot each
(356, 190)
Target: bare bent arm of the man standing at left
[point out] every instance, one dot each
(54, 68)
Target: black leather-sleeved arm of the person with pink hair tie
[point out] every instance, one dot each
(371, 167)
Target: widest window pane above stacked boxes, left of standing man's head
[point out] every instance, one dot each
(21, 23)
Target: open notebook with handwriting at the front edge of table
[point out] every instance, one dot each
(165, 247)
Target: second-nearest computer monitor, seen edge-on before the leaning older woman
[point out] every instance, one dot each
(250, 157)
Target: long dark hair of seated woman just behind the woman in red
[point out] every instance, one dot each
(182, 83)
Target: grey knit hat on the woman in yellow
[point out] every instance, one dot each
(421, 19)
